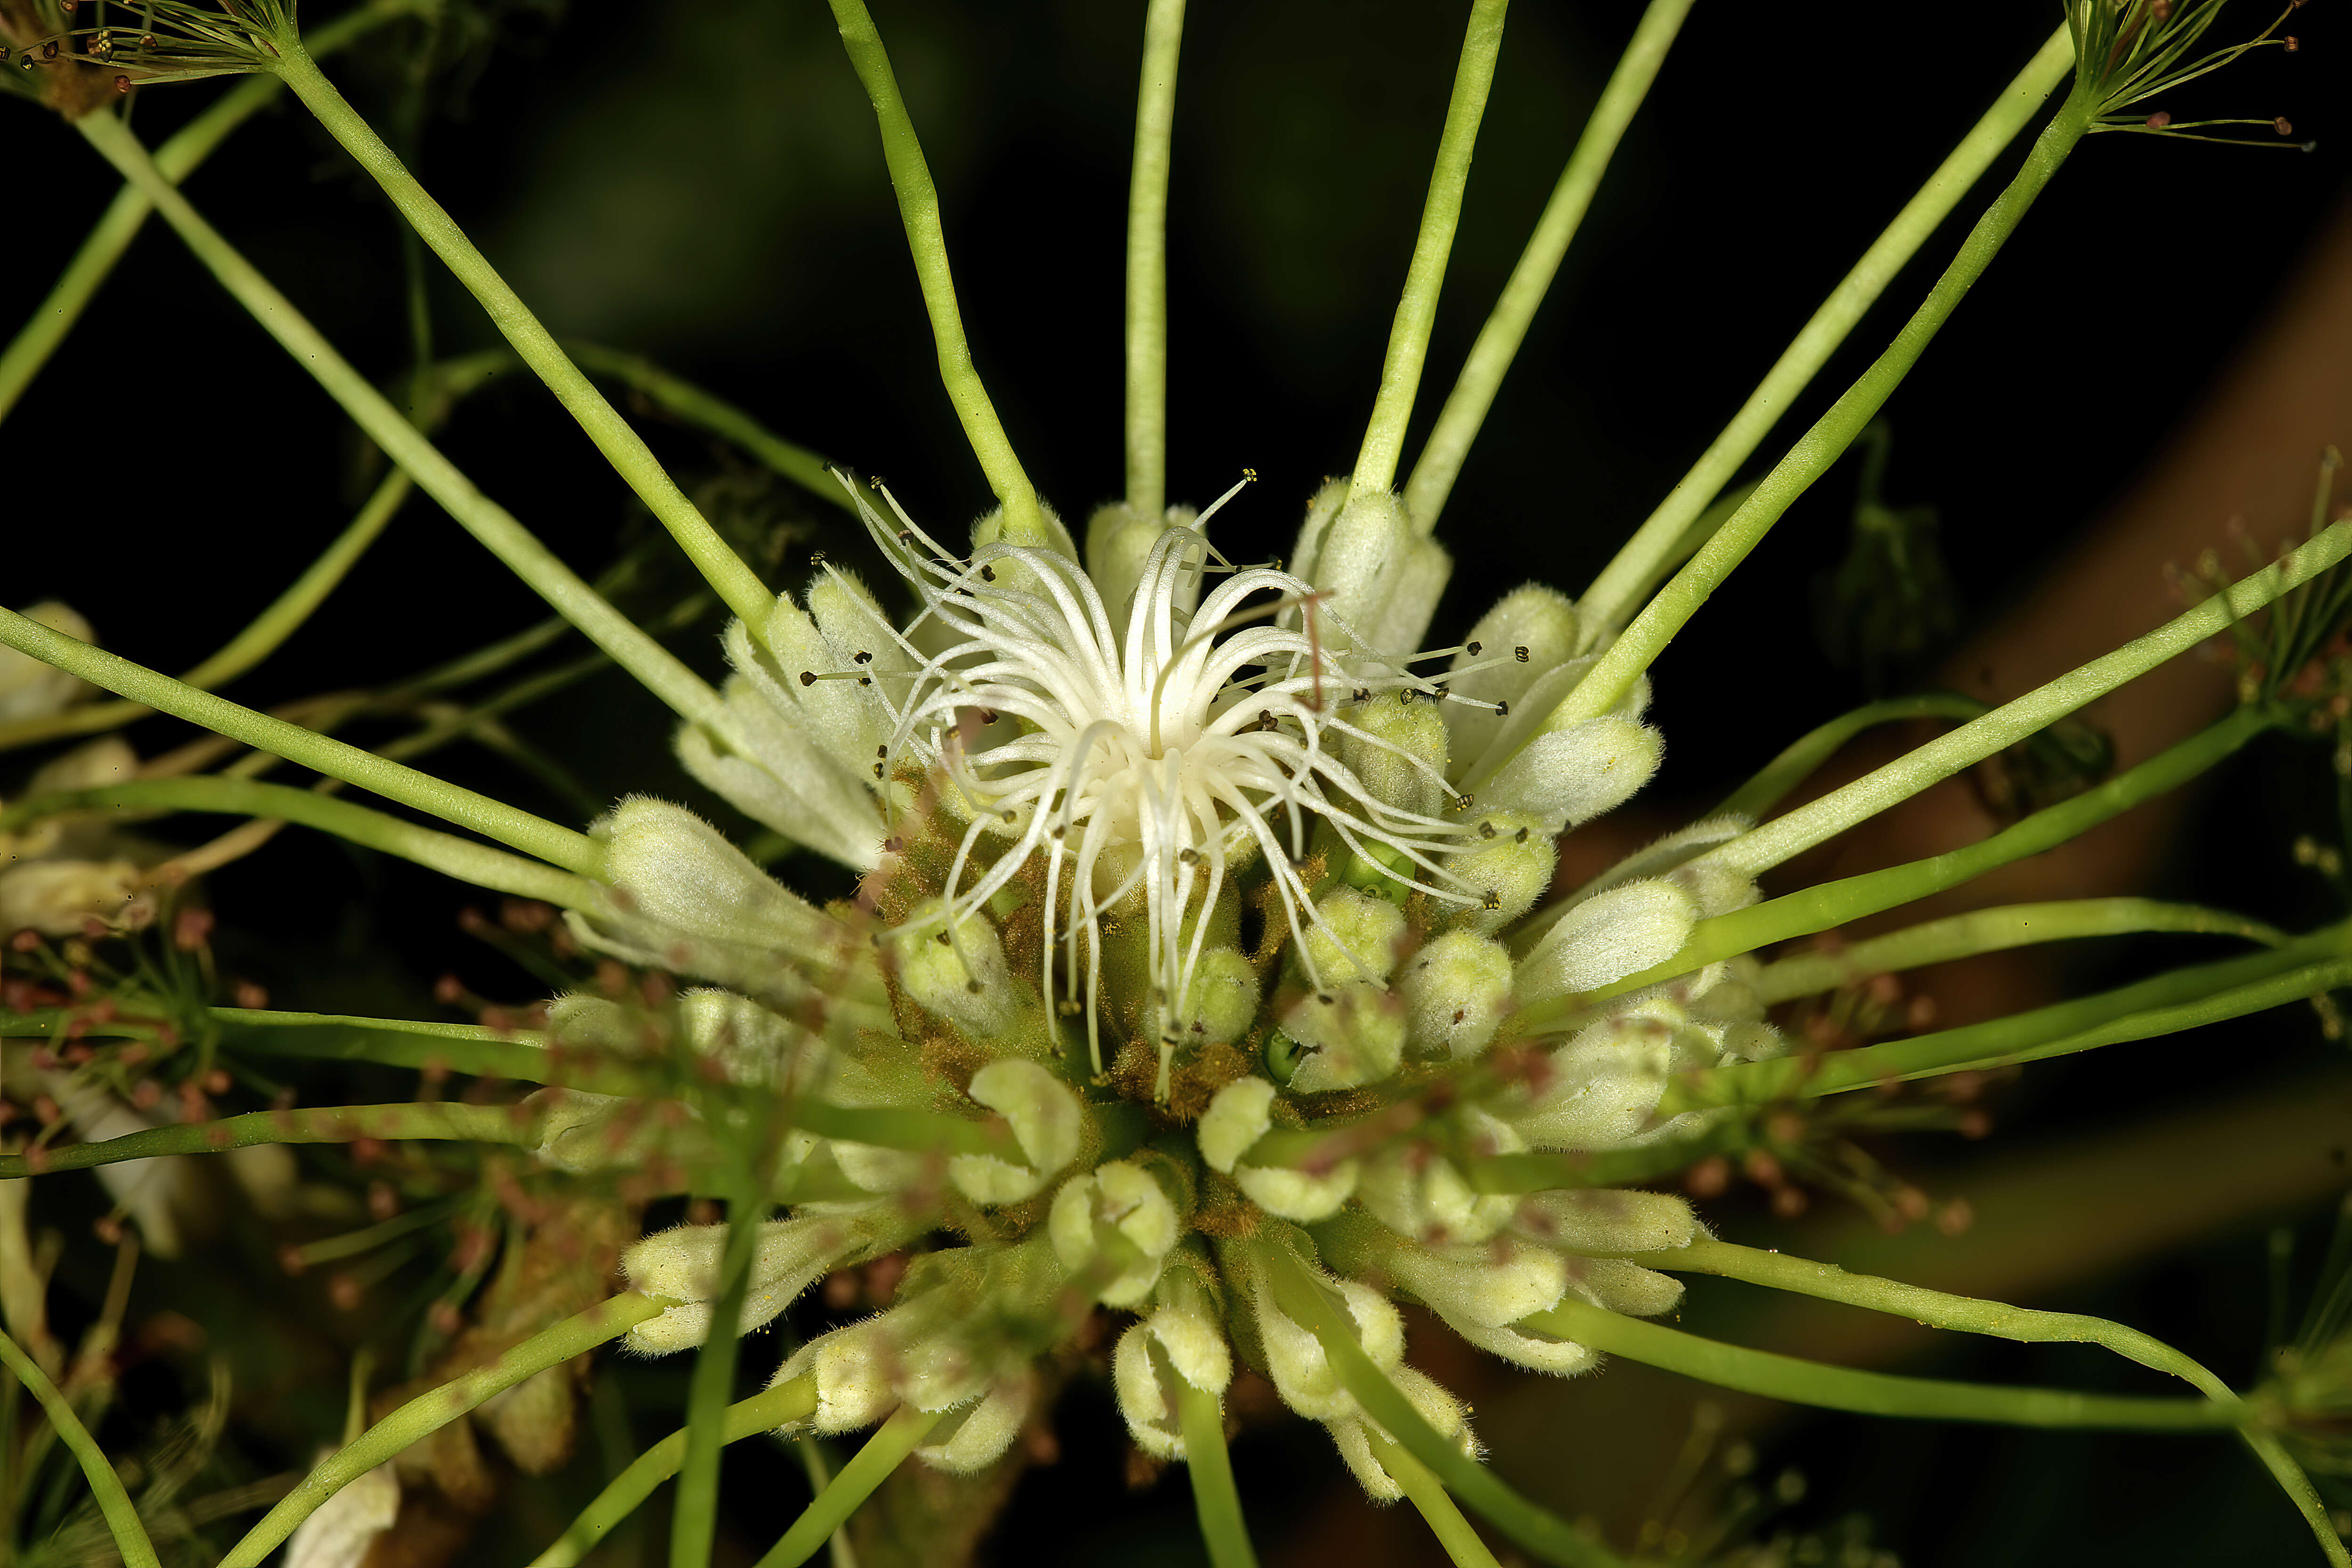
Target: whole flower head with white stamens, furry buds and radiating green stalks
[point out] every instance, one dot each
(1201, 974)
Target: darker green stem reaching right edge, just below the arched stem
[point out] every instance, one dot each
(2163, 1005)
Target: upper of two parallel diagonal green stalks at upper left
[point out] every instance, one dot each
(613, 436)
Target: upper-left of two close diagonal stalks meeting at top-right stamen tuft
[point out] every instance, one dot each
(1612, 594)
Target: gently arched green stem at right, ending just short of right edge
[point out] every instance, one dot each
(2019, 925)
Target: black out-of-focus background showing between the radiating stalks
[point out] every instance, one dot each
(704, 185)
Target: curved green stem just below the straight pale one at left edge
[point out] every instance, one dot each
(448, 855)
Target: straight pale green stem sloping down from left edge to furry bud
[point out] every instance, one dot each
(389, 779)
